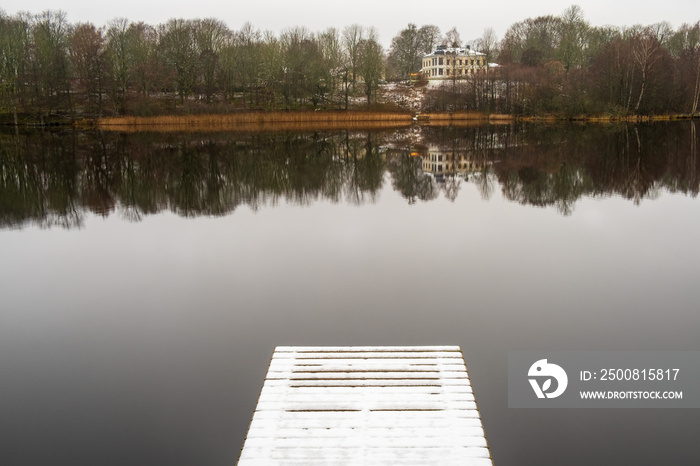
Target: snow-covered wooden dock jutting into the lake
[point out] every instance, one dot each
(366, 406)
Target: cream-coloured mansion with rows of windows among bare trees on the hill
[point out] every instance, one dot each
(447, 63)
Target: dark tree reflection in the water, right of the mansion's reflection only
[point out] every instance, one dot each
(555, 166)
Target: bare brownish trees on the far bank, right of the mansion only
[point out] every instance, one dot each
(561, 65)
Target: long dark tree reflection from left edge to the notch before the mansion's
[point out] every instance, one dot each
(51, 179)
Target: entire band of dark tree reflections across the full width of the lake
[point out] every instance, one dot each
(51, 179)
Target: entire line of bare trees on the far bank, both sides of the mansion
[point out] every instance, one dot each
(560, 65)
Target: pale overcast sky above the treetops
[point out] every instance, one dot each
(387, 16)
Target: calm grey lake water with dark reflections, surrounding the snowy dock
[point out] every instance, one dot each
(146, 279)
